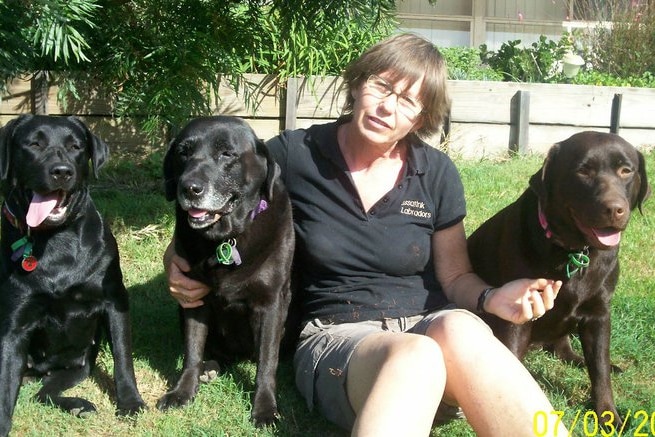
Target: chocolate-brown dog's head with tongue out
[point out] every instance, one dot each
(588, 186)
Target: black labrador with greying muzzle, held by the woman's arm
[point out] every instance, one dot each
(234, 226)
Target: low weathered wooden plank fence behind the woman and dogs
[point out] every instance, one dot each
(487, 118)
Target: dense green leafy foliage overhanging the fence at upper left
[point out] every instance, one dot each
(163, 60)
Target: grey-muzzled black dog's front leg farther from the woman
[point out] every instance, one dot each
(196, 322)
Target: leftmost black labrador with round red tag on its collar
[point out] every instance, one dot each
(61, 285)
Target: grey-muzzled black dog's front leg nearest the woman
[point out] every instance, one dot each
(267, 329)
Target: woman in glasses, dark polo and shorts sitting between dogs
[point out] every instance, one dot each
(381, 252)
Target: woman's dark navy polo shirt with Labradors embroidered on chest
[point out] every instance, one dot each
(355, 265)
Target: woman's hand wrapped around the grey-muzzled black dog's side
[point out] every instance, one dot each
(186, 291)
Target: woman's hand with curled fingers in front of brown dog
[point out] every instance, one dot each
(523, 300)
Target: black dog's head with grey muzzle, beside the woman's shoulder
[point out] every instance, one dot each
(218, 171)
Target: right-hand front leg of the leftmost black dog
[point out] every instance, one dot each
(128, 399)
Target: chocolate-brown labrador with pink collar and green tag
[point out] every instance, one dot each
(567, 225)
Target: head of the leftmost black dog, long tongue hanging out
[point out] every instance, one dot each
(44, 166)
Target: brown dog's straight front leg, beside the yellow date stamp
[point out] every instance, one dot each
(595, 340)
